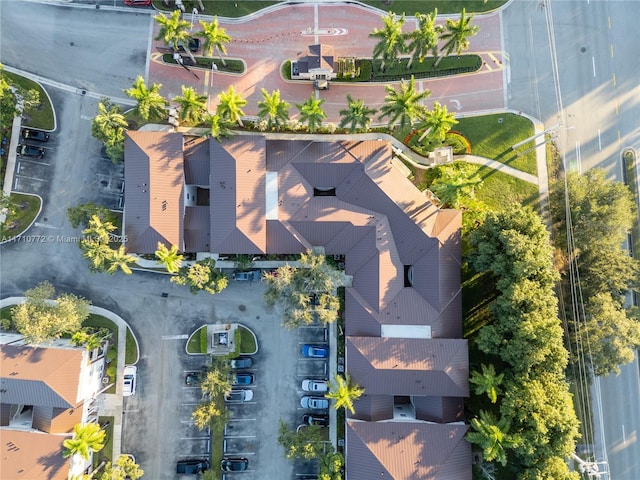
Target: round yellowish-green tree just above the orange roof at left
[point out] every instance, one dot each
(43, 316)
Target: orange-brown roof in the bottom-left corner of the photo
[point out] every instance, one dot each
(28, 455)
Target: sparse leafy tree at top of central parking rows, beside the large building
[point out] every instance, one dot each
(294, 288)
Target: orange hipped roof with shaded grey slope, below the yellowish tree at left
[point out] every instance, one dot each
(47, 377)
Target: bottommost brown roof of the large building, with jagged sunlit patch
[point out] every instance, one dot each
(407, 451)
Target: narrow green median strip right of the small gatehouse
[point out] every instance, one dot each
(452, 65)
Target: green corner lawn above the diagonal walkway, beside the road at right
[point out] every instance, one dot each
(492, 138)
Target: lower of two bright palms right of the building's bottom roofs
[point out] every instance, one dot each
(492, 437)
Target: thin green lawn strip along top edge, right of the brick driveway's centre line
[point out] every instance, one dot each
(411, 7)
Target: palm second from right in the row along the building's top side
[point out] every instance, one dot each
(404, 104)
